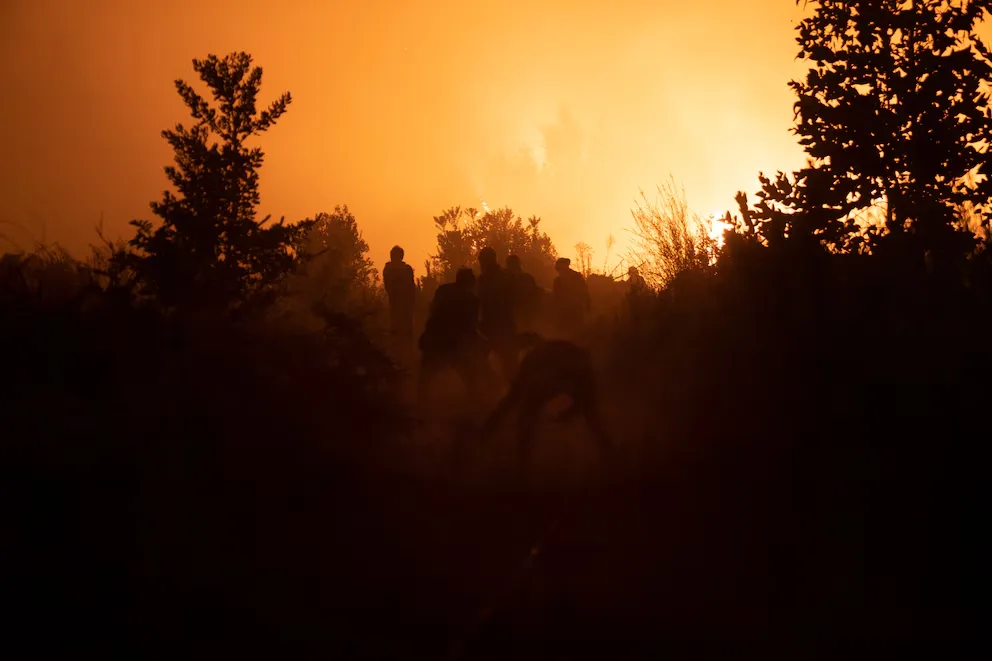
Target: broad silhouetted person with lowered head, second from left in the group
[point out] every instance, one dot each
(451, 337)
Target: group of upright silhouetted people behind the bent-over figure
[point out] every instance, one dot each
(474, 318)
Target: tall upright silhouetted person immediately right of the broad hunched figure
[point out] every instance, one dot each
(496, 319)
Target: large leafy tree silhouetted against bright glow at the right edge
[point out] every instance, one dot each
(893, 109)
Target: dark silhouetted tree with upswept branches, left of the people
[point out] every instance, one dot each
(209, 248)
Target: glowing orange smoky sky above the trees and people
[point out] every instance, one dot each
(559, 108)
